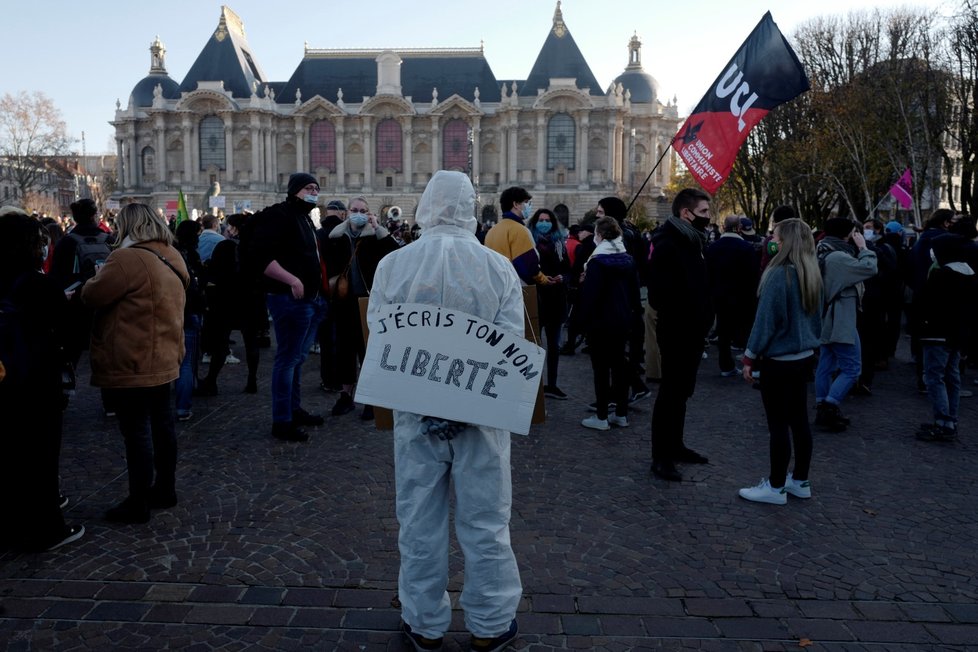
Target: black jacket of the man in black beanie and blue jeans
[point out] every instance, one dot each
(285, 233)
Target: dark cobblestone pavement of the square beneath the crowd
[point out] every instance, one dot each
(293, 546)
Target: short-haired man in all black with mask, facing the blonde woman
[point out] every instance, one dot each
(680, 295)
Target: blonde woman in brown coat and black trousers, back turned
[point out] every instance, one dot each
(137, 346)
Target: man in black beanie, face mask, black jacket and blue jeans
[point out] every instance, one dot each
(283, 250)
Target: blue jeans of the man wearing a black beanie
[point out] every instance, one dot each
(296, 323)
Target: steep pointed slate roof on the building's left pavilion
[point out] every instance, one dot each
(226, 57)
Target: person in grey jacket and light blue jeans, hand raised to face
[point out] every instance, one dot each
(846, 262)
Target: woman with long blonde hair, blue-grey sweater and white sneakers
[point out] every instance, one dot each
(782, 343)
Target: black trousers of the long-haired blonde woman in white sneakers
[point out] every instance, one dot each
(784, 392)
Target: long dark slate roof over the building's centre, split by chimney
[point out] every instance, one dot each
(452, 72)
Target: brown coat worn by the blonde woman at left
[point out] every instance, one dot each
(137, 339)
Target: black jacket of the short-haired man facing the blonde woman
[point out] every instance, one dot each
(678, 287)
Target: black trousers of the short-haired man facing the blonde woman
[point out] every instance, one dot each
(680, 360)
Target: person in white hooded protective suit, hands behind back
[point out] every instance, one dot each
(448, 267)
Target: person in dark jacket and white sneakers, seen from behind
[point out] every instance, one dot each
(609, 311)
